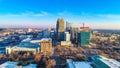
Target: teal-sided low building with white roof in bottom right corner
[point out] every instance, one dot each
(103, 62)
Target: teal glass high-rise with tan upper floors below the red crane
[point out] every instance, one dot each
(84, 36)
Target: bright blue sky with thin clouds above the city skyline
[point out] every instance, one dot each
(97, 14)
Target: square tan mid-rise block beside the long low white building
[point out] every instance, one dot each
(46, 45)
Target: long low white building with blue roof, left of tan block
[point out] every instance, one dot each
(25, 45)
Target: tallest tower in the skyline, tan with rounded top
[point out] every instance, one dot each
(60, 28)
